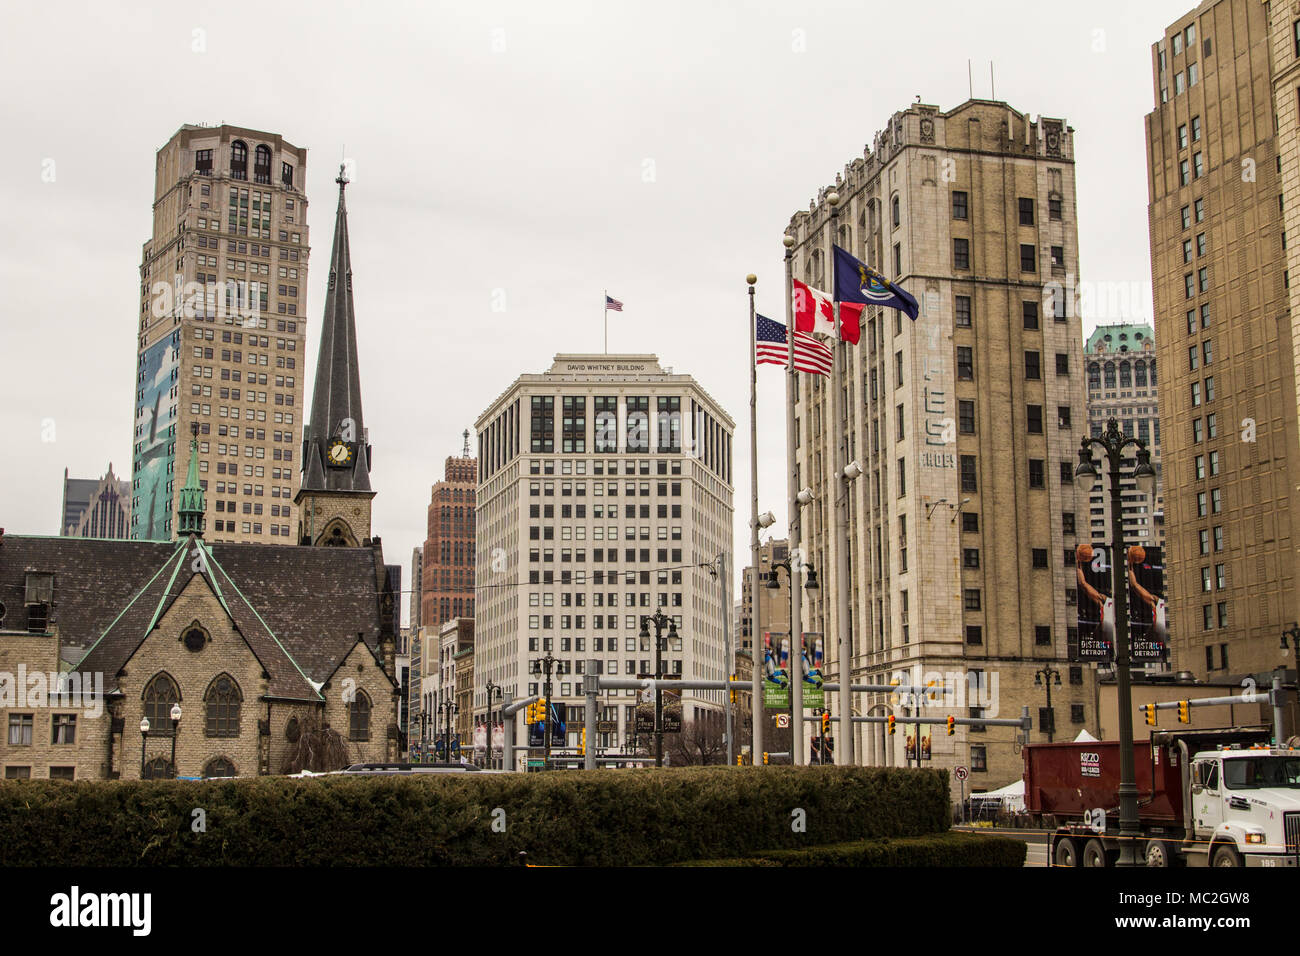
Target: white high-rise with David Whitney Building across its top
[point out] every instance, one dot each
(605, 488)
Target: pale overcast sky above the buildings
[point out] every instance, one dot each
(528, 153)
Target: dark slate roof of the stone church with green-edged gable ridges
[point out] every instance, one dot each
(301, 609)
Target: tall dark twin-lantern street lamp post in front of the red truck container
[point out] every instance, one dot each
(1113, 444)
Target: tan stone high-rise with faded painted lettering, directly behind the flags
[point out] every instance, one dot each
(965, 423)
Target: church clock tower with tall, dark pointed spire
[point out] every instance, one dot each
(335, 499)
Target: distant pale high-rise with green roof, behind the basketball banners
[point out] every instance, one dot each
(1121, 367)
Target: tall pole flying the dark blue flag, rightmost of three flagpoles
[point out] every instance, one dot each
(840, 520)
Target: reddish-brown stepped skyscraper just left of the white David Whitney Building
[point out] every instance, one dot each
(449, 551)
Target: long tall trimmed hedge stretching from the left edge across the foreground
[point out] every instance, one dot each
(603, 817)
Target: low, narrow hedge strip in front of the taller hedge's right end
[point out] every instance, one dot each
(935, 850)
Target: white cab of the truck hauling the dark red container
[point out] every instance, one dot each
(1243, 808)
